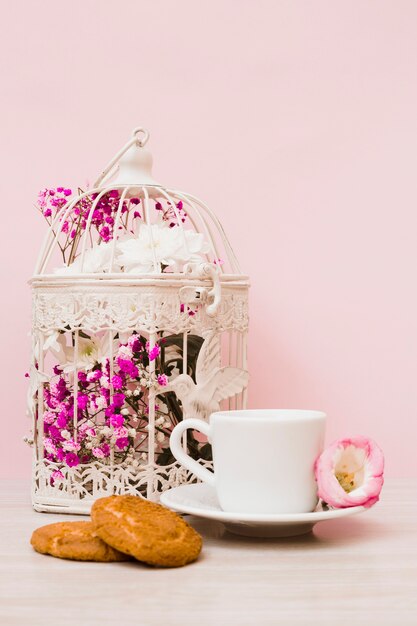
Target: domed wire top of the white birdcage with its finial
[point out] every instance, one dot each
(130, 227)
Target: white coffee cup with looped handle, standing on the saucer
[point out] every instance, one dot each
(263, 458)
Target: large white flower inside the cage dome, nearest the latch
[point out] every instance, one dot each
(157, 245)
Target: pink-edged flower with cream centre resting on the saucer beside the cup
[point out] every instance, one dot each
(350, 473)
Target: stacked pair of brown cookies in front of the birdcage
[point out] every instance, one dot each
(122, 528)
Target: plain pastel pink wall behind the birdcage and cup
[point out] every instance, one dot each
(297, 122)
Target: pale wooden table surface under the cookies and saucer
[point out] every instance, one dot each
(358, 570)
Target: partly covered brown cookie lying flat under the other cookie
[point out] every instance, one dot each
(74, 540)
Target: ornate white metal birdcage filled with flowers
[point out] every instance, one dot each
(144, 324)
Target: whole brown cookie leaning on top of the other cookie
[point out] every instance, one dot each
(145, 530)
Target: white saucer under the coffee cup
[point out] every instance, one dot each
(200, 500)
